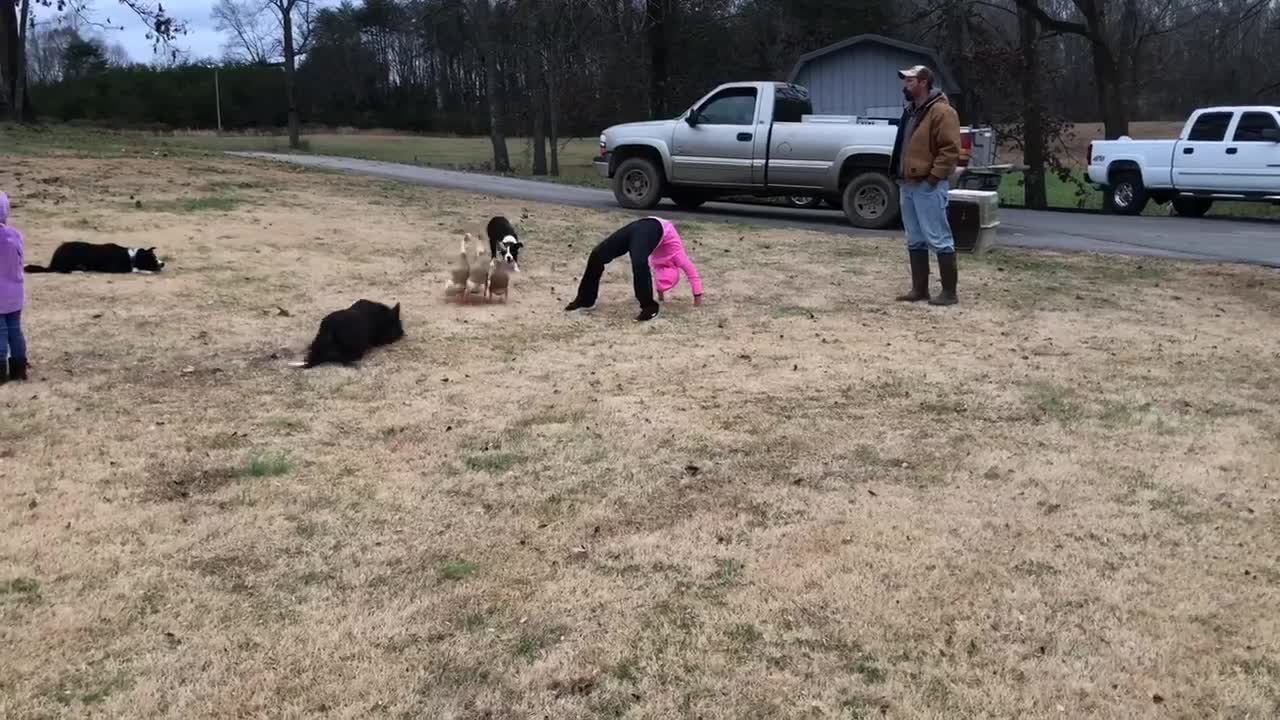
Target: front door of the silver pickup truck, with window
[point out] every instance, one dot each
(719, 148)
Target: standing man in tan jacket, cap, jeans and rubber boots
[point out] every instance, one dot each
(926, 152)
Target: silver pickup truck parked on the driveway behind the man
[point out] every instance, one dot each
(762, 139)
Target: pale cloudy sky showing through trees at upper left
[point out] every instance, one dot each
(202, 39)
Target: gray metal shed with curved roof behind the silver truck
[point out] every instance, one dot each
(860, 76)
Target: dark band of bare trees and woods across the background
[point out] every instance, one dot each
(573, 67)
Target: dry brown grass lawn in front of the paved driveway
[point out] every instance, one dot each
(1059, 499)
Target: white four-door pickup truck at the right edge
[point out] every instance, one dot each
(1222, 154)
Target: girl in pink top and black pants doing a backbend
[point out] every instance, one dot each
(650, 241)
